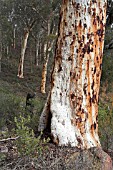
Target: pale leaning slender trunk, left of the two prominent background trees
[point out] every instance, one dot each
(23, 49)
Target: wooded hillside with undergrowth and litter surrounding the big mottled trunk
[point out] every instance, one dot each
(28, 34)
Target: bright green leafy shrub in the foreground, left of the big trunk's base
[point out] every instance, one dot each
(28, 144)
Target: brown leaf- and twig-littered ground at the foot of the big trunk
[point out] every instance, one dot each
(58, 158)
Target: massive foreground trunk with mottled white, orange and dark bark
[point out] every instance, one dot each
(72, 104)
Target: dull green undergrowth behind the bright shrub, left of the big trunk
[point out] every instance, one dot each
(12, 105)
